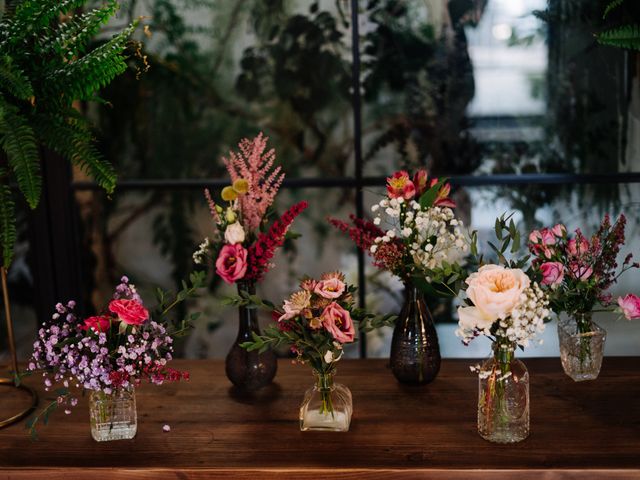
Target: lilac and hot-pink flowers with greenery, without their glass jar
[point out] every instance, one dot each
(119, 348)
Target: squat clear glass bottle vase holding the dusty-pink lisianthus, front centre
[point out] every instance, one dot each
(327, 406)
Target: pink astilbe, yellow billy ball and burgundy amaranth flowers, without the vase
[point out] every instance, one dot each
(240, 250)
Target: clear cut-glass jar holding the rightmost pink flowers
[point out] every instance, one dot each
(581, 346)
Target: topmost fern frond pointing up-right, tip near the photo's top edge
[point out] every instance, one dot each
(73, 35)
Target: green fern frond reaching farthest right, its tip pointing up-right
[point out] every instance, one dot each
(83, 78)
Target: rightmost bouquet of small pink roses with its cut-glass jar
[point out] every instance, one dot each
(576, 273)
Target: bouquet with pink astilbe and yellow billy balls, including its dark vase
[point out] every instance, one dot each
(243, 247)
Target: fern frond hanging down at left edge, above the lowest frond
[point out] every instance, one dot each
(19, 143)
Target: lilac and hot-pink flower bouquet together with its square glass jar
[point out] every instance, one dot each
(108, 355)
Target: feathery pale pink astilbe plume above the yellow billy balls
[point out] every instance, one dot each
(256, 167)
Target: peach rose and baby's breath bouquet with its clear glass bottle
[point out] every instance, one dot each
(505, 305)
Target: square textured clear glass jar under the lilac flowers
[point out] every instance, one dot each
(113, 416)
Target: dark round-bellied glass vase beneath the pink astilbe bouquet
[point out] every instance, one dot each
(249, 371)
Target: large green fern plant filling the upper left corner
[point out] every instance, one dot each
(45, 66)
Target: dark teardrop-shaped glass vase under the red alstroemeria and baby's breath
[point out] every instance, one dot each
(415, 352)
